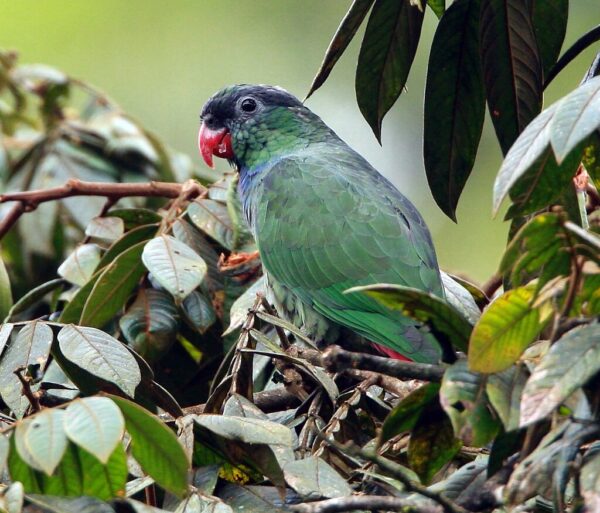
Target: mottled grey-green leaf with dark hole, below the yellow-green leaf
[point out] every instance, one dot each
(464, 399)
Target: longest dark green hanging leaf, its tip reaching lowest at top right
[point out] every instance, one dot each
(454, 104)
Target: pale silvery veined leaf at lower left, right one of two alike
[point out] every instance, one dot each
(101, 355)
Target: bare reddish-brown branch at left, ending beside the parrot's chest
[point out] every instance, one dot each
(29, 200)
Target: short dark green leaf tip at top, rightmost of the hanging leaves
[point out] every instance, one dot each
(550, 25)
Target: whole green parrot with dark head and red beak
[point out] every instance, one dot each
(323, 218)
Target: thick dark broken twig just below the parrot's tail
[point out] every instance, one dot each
(336, 359)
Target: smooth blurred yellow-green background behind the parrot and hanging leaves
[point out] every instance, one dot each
(161, 60)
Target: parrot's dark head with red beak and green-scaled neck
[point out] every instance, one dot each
(247, 124)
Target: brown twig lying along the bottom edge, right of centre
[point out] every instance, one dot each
(365, 503)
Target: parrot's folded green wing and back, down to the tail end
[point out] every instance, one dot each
(330, 222)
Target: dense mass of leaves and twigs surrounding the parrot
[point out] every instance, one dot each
(140, 371)
